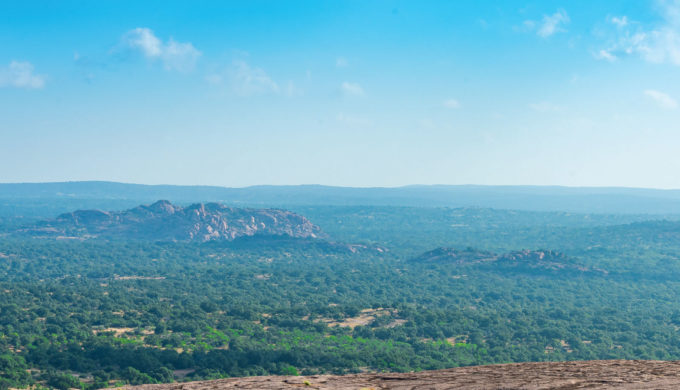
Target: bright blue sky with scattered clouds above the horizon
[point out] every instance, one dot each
(349, 93)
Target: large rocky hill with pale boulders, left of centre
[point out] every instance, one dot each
(167, 222)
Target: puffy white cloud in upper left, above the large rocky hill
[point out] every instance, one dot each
(174, 55)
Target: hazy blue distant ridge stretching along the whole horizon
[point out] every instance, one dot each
(551, 198)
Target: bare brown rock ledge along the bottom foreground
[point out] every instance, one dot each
(600, 374)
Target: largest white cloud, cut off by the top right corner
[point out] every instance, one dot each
(659, 43)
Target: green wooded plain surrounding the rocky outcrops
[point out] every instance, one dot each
(96, 313)
